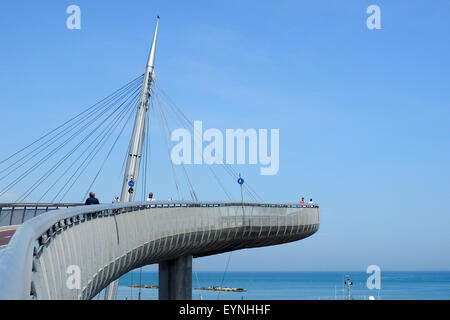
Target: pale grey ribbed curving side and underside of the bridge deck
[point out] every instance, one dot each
(106, 244)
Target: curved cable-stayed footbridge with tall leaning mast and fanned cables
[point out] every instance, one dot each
(52, 248)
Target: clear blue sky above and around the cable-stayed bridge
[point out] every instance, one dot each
(363, 114)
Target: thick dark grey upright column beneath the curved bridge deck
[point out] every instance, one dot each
(175, 279)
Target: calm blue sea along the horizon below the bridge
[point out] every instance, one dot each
(301, 285)
